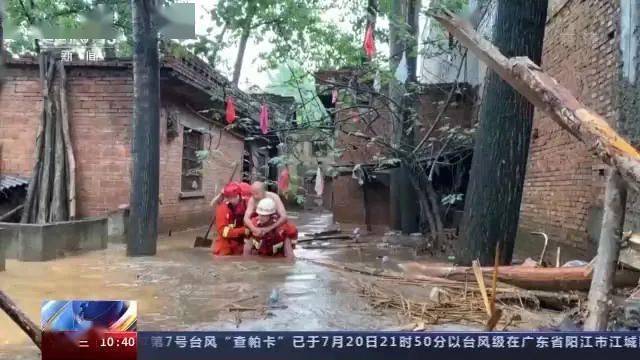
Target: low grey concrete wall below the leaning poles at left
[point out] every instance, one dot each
(42, 242)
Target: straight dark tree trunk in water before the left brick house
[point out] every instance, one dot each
(143, 216)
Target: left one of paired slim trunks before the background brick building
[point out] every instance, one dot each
(396, 92)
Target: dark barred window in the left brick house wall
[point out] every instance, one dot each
(191, 165)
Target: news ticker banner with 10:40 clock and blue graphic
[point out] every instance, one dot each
(107, 330)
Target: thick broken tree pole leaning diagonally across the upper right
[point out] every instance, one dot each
(554, 99)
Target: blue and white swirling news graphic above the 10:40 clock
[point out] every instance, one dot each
(81, 315)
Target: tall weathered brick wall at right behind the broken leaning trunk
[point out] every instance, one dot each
(564, 183)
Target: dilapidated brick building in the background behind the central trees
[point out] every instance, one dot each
(366, 204)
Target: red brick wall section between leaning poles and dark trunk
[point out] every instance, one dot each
(100, 107)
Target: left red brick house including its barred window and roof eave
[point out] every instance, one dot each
(101, 104)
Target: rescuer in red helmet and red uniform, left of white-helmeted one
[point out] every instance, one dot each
(229, 222)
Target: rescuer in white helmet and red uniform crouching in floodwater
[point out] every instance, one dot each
(270, 241)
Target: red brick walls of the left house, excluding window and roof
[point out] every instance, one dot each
(100, 103)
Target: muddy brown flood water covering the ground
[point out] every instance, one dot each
(185, 288)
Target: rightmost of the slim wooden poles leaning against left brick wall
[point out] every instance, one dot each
(70, 157)
